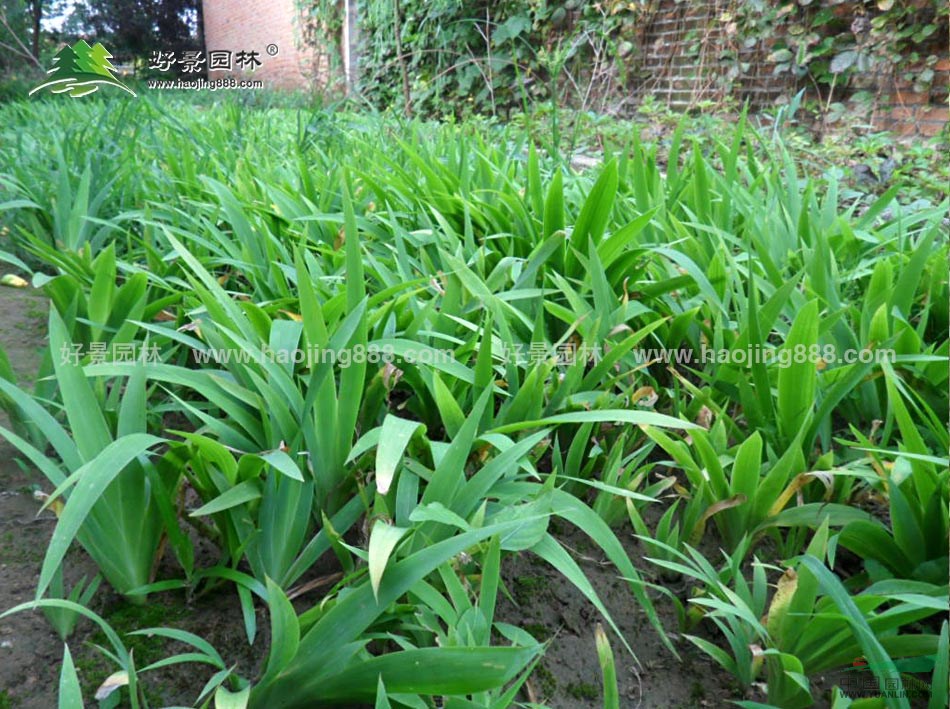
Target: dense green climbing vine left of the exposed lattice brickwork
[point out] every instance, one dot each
(456, 56)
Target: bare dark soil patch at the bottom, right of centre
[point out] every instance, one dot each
(569, 676)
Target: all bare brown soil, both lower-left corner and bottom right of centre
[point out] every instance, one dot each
(541, 601)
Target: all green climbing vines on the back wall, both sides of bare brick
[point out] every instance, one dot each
(437, 57)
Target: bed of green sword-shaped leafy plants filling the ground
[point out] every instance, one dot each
(794, 506)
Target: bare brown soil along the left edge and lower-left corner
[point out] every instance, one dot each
(30, 651)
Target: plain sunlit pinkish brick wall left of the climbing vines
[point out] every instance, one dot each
(256, 25)
